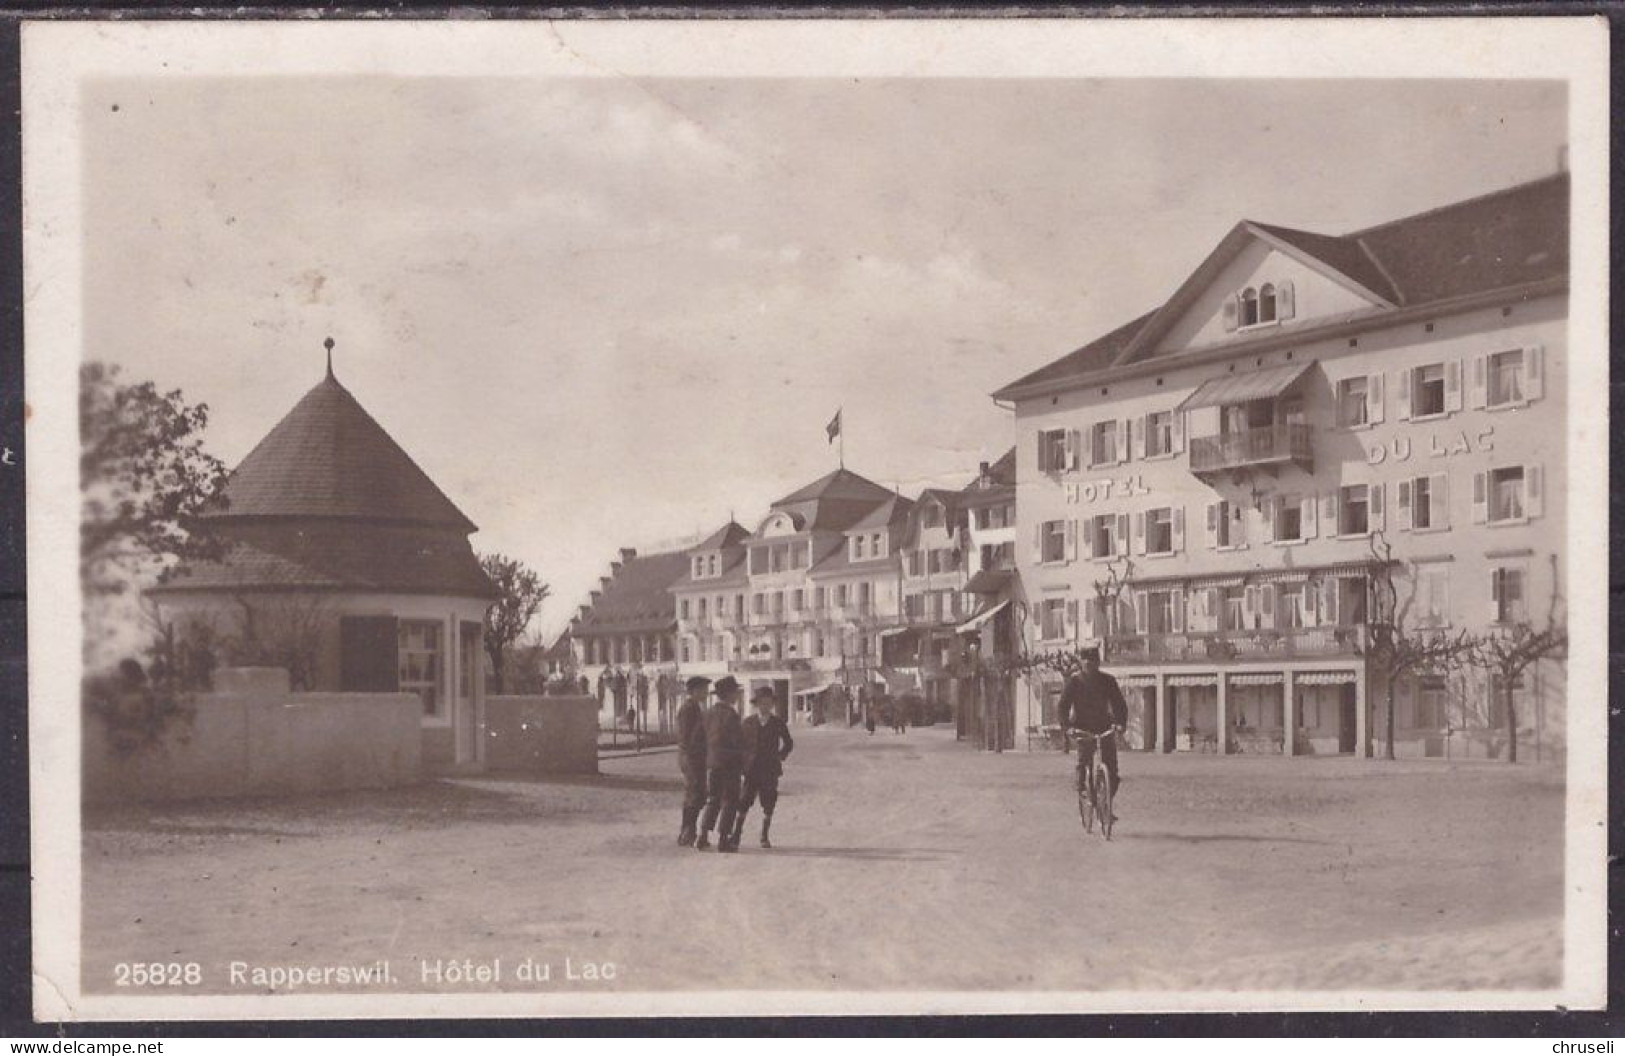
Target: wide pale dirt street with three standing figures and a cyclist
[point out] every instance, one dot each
(904, 862)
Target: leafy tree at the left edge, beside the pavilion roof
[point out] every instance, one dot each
(145, 477)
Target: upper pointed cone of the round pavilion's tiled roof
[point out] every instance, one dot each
(331, 459)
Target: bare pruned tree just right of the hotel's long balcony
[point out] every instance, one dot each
(1395, 646)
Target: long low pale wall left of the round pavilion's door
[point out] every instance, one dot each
(262, 743)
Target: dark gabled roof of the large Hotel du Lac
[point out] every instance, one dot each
(1507, 240)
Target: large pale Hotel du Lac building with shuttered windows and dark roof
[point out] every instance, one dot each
(1211, 491)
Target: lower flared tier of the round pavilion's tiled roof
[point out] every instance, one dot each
(326, 555)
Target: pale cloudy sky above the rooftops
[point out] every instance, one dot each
(612, 313)
